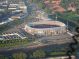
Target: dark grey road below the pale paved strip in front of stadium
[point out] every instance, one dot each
(29, 49)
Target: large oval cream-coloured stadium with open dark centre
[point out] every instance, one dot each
(45, 28)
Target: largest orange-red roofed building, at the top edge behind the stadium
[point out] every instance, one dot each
(54, 5)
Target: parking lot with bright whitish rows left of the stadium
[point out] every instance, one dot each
(14, 35)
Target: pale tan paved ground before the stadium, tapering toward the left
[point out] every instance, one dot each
(45, 41)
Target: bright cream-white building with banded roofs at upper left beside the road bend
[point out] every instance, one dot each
(18, 7)
